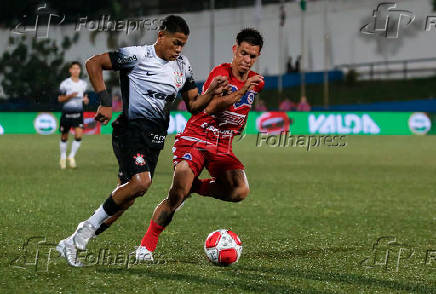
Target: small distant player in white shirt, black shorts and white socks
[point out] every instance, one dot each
(73, 97)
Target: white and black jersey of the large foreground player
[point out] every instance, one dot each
(150, 84)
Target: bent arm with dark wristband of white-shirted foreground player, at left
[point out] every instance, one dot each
(95, 66)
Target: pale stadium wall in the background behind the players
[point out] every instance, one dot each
(345, 19)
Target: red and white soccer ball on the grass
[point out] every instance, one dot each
(223, 247)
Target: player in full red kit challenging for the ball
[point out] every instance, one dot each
(206, 141)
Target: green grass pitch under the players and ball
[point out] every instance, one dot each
(307, 226)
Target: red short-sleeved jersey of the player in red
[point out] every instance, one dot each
(221, 127)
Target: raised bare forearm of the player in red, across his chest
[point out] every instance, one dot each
(220, 103)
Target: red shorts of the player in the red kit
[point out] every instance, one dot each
(198, 155)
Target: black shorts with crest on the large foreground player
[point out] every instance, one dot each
(137, 149)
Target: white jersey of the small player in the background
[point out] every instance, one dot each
(67, 87)
